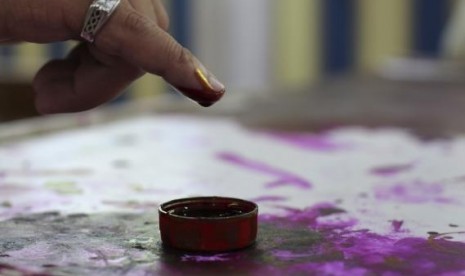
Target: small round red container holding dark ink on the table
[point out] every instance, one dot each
(208, 224)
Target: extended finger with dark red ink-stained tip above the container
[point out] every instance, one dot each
(140, 41)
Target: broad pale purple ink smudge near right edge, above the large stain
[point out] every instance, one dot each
(414, 192)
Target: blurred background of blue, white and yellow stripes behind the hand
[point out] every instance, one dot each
(257, 46)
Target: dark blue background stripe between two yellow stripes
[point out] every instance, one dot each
(338, 35)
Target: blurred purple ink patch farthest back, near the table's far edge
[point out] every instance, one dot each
(307, 141)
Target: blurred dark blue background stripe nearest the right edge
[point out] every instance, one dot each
(429, 20)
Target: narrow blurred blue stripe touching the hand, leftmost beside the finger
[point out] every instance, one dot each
(181, 16)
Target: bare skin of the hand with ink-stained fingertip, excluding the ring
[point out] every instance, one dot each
(132, 42)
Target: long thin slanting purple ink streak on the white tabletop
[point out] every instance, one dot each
(284, 178)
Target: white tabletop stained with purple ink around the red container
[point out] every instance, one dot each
(345, 201)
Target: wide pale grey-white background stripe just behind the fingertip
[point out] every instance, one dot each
(232, 38)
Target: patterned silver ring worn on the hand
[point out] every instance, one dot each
(97, 15)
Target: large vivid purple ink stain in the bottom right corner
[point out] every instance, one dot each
(344, 251)
